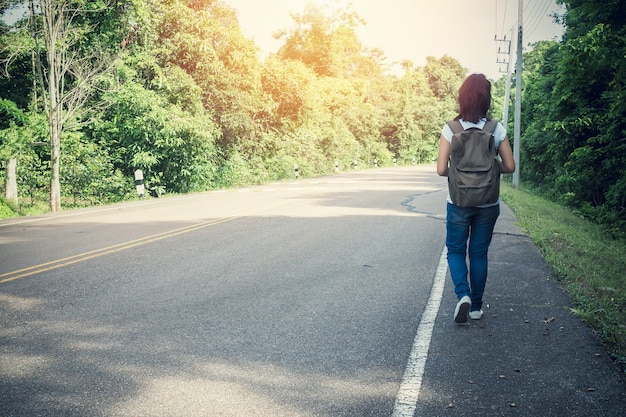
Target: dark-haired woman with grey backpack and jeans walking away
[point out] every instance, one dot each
(472, 218)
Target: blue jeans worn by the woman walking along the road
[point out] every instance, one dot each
(475, 224)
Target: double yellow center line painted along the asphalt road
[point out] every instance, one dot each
(59, 263)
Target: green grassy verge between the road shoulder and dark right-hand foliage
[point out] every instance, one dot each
(591, 266)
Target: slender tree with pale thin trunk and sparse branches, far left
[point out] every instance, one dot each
(66, 71)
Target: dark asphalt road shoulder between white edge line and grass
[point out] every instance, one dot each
(529, 355)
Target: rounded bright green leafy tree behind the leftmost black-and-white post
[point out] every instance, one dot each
(174, 148)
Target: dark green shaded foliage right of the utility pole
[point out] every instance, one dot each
(574, 139)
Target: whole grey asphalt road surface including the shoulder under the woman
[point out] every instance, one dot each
(321, 297)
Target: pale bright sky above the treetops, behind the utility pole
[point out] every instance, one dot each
(415, 29)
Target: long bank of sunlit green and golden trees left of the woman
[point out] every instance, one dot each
(182, 95)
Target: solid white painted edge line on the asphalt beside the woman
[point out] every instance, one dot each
(408, 394)
